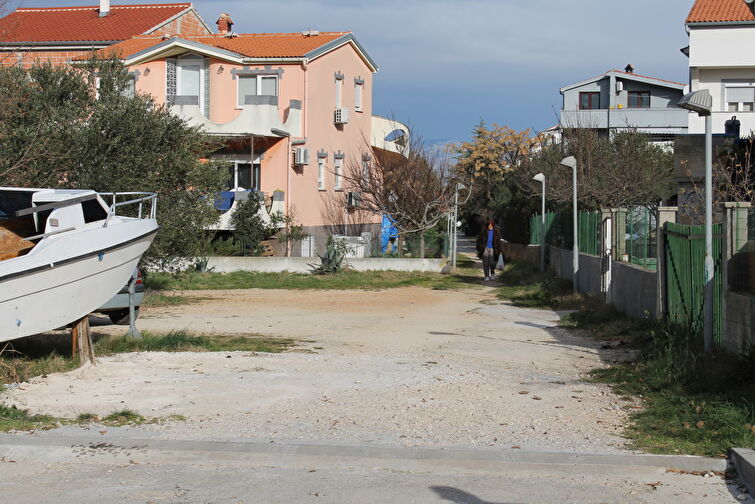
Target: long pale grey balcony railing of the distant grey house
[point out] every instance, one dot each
(663, 120)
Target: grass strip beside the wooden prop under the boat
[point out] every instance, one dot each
(183, 341)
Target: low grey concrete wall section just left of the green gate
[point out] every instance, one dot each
(634, 290)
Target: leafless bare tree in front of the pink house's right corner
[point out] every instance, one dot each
(416, 186)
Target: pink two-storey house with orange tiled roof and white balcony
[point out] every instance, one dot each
(295, 108)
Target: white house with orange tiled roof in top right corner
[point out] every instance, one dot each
(721, 60)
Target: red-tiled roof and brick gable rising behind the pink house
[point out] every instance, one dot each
(60, 34)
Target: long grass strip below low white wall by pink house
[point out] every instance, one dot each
(343, 280)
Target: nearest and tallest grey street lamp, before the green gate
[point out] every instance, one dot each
(701, 102)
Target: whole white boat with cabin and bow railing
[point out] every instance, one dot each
(64, 253)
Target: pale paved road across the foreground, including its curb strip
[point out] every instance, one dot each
(115, 468)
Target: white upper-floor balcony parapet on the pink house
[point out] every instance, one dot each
(260, 116)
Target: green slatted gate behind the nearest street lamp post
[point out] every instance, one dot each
(685, 276)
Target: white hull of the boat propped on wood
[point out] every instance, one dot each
(36, 298)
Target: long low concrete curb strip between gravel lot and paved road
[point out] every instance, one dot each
(78, 448)
